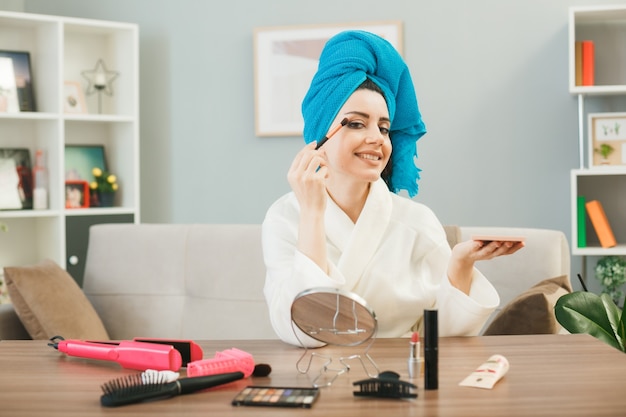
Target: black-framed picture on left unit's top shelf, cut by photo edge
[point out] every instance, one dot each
(20, 70)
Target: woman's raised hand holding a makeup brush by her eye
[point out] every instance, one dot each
(307, 176)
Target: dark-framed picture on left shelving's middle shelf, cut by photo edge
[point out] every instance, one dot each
(16, 179)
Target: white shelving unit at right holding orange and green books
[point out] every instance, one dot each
(606, 26)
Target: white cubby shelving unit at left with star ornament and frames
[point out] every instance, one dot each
(60, 49)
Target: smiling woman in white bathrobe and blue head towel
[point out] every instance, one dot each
(343, 226)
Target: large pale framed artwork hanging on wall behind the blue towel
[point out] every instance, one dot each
(285, 61)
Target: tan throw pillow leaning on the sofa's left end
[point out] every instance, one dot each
(50, 303)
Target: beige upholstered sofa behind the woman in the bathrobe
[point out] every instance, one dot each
(205, 281)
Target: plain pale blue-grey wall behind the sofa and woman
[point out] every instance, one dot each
(491, 79)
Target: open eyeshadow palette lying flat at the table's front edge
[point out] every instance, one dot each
(277, 396)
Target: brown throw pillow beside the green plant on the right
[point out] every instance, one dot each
(531, 312)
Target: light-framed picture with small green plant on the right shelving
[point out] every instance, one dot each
(607, 140)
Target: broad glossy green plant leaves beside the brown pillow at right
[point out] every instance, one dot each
(598, 316)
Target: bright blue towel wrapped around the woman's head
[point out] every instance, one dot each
(346, 61)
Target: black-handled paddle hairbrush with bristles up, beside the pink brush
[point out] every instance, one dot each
(135, 388)
